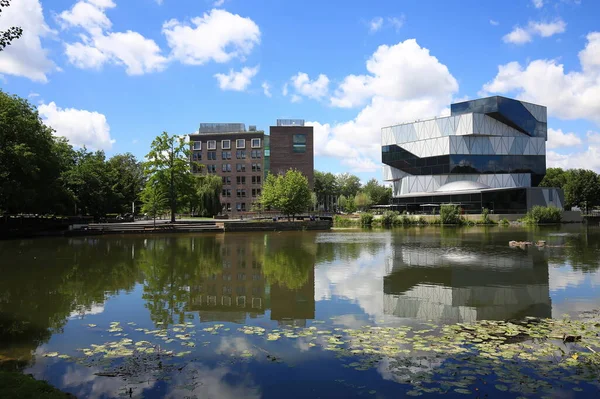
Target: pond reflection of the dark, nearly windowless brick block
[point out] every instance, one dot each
(294, 307)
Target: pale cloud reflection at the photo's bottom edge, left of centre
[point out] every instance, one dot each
(212, 383)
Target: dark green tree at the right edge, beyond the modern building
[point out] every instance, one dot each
(582, 188)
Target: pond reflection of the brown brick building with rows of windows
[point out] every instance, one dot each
(239, 291)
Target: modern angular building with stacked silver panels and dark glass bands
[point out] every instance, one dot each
(489, 153)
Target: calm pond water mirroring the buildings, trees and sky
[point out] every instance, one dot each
(195, 306)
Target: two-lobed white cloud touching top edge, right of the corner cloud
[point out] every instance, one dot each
(136, 53)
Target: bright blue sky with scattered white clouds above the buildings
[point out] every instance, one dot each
(113, 74)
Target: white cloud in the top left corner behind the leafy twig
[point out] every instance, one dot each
(25, 56)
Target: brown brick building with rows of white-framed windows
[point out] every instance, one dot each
(236, 155)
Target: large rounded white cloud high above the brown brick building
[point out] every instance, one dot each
(218, 36)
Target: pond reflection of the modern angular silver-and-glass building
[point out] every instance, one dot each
(460, 286)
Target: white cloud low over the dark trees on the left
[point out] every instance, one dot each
(81, 127)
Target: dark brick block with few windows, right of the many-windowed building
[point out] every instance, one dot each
(292, 146)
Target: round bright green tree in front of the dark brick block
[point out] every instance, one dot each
(289, 193)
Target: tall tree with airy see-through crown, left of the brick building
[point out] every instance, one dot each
(168, 164)
